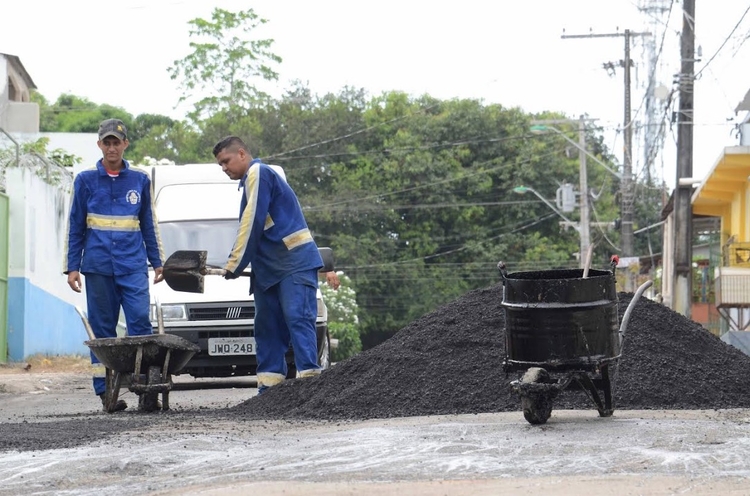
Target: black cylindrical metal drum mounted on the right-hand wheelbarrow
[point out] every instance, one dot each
(559, 320)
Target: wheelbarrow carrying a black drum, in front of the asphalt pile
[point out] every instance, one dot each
(561, 330)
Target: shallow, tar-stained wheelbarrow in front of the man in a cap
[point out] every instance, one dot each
(146, 363)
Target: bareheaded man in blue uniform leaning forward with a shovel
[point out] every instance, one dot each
(273, 238)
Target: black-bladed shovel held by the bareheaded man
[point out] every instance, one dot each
(184, 269)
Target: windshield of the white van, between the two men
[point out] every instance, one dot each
(214, 236)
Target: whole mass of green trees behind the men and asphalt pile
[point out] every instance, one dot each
(414, 194)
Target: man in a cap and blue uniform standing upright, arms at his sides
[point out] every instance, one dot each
(112, 234)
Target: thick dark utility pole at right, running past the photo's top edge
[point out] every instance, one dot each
(683, 214)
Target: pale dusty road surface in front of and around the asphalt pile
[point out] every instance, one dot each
(54, 439)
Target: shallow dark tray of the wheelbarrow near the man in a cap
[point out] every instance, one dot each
(119, 354)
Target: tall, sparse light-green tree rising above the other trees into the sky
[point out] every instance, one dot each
(222, 67)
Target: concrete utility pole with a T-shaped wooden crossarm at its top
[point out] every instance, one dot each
(626, 185)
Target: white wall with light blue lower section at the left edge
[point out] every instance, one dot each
(41, 314)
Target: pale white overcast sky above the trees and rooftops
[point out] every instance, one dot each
(507, 52)
